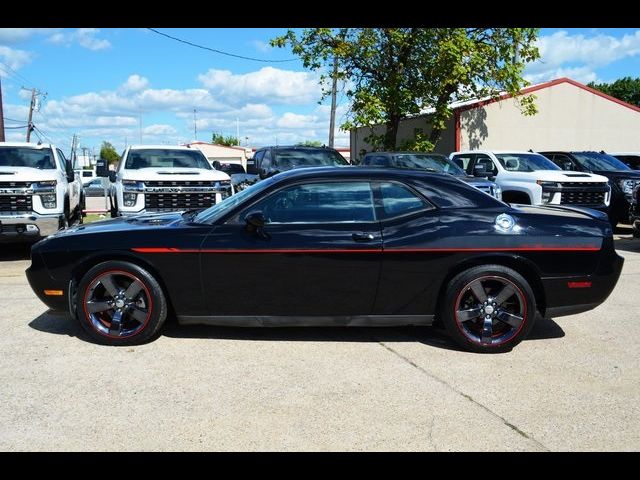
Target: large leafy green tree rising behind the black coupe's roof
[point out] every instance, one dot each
(397, 72)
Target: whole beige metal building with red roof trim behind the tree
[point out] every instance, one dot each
(571, 116)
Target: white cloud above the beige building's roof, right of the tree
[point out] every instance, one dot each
(579, 56)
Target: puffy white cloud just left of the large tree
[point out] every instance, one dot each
(268, 84)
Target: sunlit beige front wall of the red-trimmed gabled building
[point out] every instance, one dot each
(569, 118)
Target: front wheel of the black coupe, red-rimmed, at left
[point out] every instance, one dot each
(141, 316)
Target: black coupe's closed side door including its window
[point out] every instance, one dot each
(318, 254)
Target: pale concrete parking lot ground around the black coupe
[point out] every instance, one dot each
(573, 385)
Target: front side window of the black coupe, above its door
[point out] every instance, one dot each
(328, 202)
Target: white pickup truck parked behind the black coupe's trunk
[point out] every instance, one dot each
(532, 179)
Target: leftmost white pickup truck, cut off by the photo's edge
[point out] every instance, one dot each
(39, 191)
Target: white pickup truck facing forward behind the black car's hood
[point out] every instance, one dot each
(163, 178)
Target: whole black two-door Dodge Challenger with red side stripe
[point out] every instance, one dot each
(334, 246)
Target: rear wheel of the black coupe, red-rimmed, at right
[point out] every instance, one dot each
(505, 322)
